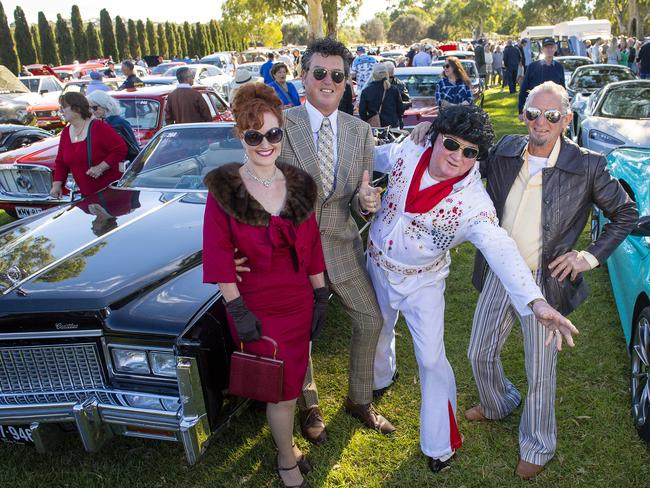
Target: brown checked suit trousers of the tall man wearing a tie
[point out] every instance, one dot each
(357, 297)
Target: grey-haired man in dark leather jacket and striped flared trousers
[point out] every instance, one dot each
(543, 187)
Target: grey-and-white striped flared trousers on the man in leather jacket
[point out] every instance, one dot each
(493, 321)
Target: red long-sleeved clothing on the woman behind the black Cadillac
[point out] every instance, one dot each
(107, 146)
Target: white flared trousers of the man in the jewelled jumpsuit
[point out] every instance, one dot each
(420, 299)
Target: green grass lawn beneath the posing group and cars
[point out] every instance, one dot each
(597, 445)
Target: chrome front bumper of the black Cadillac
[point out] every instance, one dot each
(105, 413)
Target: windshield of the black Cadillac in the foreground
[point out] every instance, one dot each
(179, 159)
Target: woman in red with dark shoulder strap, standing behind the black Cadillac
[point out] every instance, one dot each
(108, 149)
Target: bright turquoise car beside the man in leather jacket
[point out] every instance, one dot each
(629, 272)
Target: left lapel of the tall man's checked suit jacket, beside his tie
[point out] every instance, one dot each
(301, 140)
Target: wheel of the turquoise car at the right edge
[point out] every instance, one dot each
(639, 374)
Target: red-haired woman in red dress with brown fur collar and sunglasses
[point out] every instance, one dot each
(266, 212)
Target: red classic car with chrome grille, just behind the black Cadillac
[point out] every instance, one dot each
(26, 173)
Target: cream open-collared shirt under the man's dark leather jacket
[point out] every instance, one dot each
(522, 214)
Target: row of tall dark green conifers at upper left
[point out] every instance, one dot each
(64, 41)
